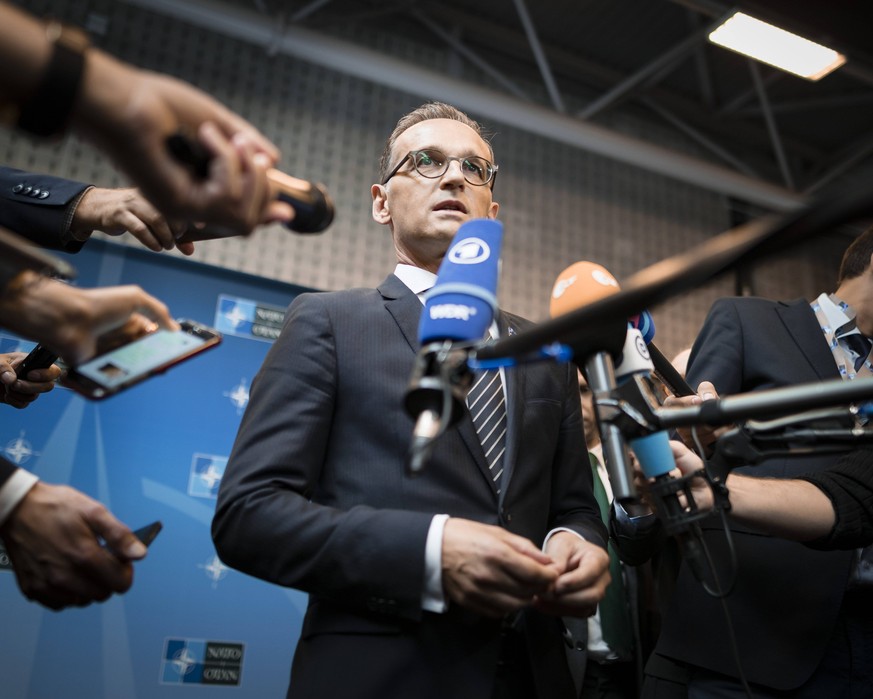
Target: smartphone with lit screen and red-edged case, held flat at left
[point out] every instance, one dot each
(125, 366)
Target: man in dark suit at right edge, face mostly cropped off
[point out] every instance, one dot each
(802, 619)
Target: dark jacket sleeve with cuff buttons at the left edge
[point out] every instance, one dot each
(38, 207)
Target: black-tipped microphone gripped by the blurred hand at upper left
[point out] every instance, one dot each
(313, 207)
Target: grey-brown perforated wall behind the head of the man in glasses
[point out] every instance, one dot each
(559, 204)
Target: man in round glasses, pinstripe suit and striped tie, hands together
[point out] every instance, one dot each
(434, 586)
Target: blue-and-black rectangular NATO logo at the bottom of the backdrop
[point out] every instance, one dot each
(195, 661)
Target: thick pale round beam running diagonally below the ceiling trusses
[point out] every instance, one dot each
(370, 65)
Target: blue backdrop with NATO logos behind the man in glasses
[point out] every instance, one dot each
(157, 451)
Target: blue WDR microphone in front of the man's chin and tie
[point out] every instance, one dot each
(458, 309)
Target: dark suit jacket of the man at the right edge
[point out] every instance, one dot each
(787, 596)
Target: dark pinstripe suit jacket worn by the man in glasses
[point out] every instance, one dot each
(315, 497)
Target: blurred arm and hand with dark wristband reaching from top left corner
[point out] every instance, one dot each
(53, 80)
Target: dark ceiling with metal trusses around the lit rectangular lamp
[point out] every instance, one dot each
(581, 69)
